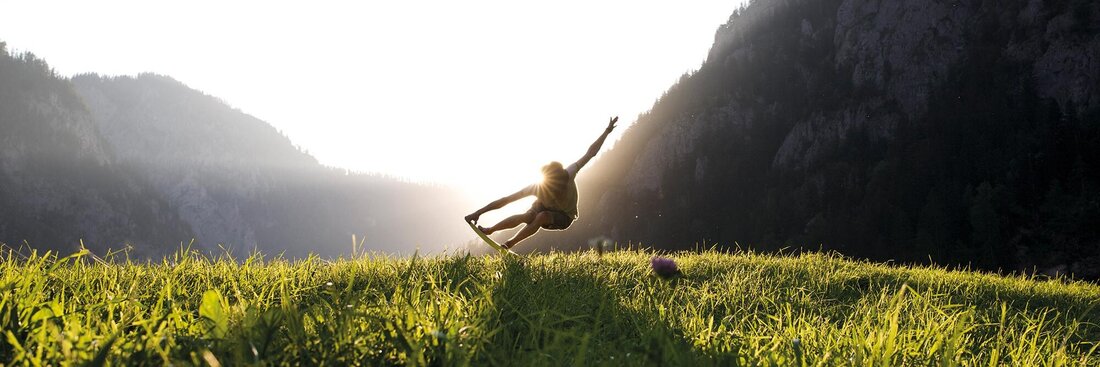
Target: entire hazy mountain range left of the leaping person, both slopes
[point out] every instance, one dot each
(151, 163)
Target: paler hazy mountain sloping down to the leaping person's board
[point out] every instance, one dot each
(240, 183)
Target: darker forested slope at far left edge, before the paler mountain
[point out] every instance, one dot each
(60, 182)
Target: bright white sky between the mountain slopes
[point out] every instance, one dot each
(472, 94)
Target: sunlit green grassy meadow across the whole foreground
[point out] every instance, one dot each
(548, 310)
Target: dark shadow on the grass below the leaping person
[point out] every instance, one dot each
(555, 316)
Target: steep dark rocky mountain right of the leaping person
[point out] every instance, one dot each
(958, 132)
